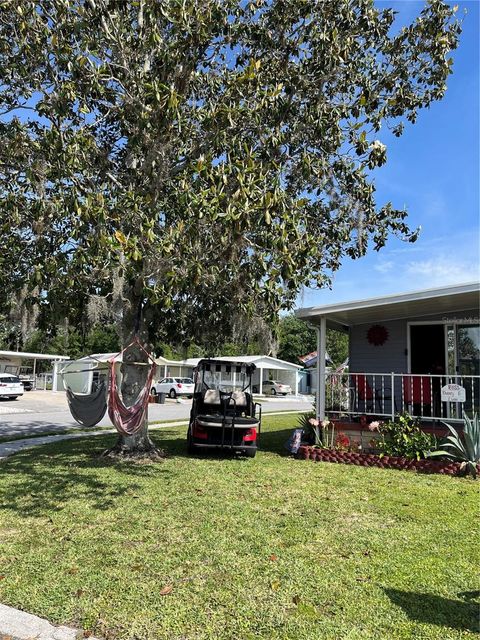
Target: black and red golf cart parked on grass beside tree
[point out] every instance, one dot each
(223, 413)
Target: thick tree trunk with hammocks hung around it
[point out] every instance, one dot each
(134, 377)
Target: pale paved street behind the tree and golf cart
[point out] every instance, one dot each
(38, 412)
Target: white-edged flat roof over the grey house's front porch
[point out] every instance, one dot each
(395, 307)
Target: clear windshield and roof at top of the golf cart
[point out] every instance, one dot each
(223, 376)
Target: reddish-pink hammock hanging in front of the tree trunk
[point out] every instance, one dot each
(129, 420)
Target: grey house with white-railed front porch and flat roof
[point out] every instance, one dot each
(415, 352)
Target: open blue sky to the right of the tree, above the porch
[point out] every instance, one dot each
(433, 170)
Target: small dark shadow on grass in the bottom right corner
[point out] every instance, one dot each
(431, 609)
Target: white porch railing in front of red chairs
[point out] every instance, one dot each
(387, 394)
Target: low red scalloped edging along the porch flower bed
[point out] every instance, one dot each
(384, 462)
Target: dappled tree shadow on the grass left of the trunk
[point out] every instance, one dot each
(43, 480)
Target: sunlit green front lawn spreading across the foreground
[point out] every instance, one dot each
(266, 548)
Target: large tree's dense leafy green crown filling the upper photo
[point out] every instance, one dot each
(197, 163)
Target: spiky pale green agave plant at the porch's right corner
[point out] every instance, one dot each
(464, 449)
